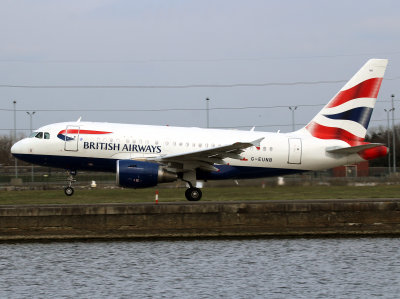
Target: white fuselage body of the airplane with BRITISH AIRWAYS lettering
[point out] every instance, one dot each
(95, 142)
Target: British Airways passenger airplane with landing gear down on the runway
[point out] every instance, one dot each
(143, 155)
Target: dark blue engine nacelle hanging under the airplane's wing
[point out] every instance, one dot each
(139, 174)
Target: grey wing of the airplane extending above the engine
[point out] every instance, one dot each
(205, 158)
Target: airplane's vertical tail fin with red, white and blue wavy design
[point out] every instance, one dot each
(346, 116)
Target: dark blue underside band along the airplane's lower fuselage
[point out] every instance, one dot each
(109, 165)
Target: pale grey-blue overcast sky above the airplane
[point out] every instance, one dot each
(179, 43)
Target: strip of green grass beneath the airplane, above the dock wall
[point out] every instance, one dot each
(84, 196)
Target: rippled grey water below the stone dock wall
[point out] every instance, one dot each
(261, 268)
